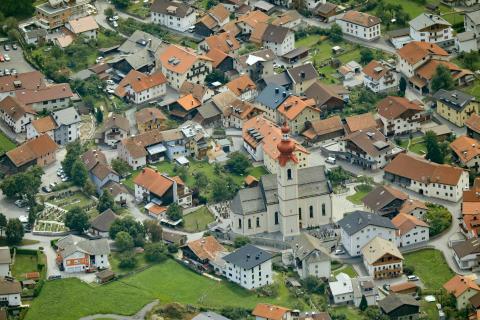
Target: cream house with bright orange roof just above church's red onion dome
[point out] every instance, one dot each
(296, 111)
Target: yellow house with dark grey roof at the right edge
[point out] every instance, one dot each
(455, 106)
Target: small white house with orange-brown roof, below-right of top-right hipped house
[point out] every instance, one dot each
(380, 76)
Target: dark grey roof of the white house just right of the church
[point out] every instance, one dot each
(355, 221)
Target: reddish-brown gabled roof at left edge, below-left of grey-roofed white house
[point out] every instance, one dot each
(32, 150)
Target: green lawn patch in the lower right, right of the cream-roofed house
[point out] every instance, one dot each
(430, 266)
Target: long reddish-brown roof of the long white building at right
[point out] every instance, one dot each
(421, 170)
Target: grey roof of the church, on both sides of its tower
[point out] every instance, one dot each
(312, 182)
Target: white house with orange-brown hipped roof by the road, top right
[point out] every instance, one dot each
(360, 25)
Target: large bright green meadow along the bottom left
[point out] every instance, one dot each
(71, 299)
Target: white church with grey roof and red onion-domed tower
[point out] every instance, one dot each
(287, 202)
